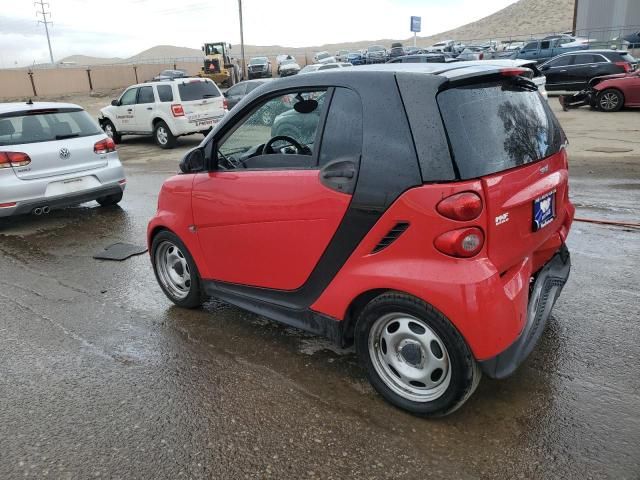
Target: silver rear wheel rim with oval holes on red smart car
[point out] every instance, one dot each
(409, 357)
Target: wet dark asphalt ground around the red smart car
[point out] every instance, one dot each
(101, 377)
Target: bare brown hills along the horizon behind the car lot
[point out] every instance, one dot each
(522, 19)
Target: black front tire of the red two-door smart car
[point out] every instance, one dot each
(195, 296)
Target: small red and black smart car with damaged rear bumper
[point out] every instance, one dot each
(419, 211)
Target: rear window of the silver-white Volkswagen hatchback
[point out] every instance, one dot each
(46, 126)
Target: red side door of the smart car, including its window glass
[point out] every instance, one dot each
(265, 219)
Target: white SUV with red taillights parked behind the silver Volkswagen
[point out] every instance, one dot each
(165, 109)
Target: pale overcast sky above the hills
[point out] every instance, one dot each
(122, 28)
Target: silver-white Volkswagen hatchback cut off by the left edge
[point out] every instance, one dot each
(54, 155)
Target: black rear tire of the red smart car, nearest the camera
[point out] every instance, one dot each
(456, 385)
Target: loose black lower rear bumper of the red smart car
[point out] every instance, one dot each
(545, 291)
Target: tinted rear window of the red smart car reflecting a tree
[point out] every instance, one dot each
(497, 127)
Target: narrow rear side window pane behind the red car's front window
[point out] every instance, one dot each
(342, 136)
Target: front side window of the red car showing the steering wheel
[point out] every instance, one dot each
(280, 133)
